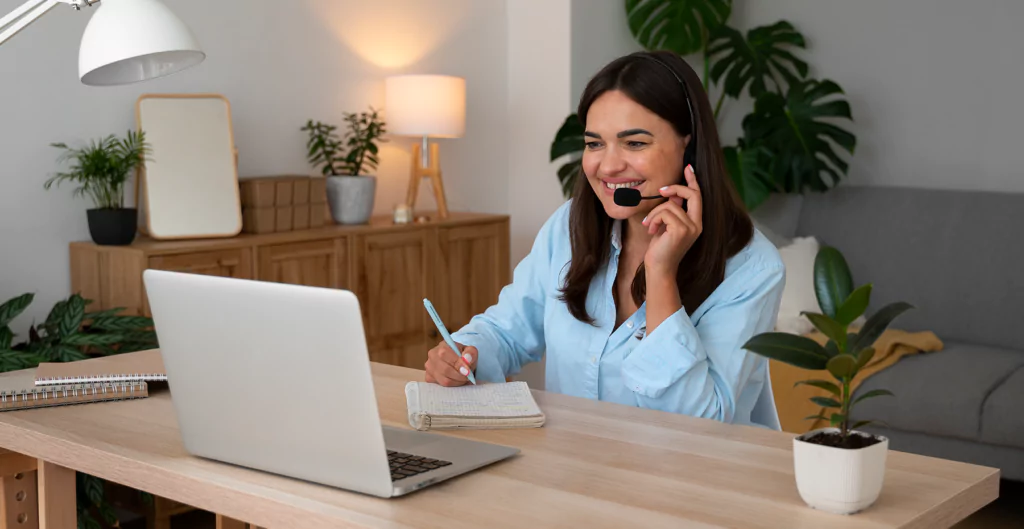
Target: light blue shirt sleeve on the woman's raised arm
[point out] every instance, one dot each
(700, 371)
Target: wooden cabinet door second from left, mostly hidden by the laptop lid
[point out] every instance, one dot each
(315, 263)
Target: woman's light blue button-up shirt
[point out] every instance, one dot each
(693, 365)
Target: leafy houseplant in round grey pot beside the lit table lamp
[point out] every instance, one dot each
(348, 162)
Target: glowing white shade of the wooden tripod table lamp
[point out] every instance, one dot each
(426, 106)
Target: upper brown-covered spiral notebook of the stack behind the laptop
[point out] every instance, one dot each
(138, 367)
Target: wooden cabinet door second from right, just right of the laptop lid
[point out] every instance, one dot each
(391, 275)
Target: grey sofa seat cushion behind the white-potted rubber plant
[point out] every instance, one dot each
(941, 393)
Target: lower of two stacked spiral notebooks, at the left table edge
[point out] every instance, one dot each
(18, 391)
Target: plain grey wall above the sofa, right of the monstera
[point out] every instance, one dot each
(934, 84)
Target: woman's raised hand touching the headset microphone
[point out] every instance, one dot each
(675, 231)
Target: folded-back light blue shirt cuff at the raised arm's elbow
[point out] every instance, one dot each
(664, 357)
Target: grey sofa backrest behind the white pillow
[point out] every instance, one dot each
(955, 255)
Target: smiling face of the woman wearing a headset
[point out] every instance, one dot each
(630, 147)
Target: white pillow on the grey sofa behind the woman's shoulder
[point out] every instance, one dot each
(798, 296)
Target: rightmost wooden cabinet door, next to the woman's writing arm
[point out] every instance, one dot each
(473, 267)
